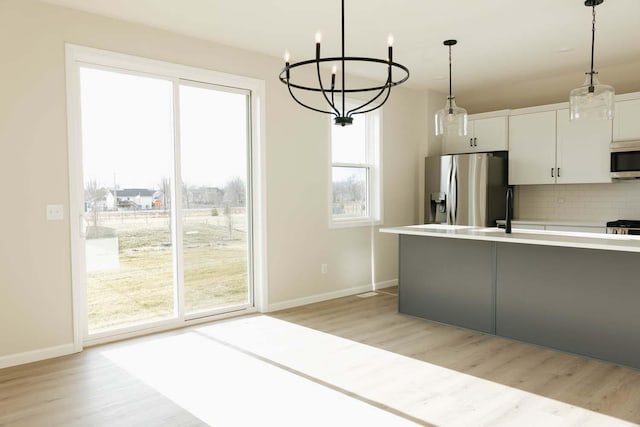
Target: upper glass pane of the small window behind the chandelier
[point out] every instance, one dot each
(348, 143)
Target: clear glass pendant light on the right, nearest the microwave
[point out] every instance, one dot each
(592, 100)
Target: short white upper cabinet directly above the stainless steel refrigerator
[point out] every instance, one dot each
(485, 133)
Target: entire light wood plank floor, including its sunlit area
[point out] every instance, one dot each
(347, 362)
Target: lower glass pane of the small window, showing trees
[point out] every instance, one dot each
(349, 192)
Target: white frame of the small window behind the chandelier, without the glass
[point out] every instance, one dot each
(373, 167)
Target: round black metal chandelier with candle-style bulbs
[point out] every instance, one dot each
(336, 106)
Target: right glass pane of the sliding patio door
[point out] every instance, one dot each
(214, 132)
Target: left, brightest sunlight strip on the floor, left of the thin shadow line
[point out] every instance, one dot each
(226, 387)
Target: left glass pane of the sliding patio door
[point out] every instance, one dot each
(127, 138)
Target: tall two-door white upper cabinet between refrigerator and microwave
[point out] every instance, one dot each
(546, 148)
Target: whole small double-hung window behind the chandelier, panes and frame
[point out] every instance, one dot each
(355, 172)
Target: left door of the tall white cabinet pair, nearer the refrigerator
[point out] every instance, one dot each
(532, 148)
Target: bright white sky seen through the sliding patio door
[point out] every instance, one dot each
(128, 128)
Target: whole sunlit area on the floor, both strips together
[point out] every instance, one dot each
(265, 371)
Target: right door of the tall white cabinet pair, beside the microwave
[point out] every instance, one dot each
(583, 150)
